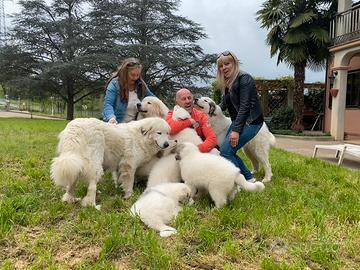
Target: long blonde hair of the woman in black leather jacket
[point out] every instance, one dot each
(227, 57)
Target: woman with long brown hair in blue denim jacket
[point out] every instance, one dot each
(124, 90)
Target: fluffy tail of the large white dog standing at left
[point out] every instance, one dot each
(66, 168)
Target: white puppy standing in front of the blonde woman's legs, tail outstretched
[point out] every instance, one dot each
(212, 173)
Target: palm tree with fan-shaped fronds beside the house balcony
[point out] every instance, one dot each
(299, 35)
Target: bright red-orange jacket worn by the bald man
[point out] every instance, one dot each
(204, 129)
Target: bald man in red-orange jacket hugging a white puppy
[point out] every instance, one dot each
(199, 121)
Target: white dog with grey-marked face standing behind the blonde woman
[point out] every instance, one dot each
(257, 150)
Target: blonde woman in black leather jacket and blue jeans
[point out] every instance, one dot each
(241, 100)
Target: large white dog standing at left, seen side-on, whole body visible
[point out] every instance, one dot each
(87, 146)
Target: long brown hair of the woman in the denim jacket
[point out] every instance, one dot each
(122, 74)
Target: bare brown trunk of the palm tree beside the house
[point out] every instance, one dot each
(299, 76)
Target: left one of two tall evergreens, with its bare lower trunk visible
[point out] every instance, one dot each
(56, 36)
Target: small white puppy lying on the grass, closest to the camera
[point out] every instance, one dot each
(158, 205)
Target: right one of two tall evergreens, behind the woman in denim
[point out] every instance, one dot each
(165, 43)
